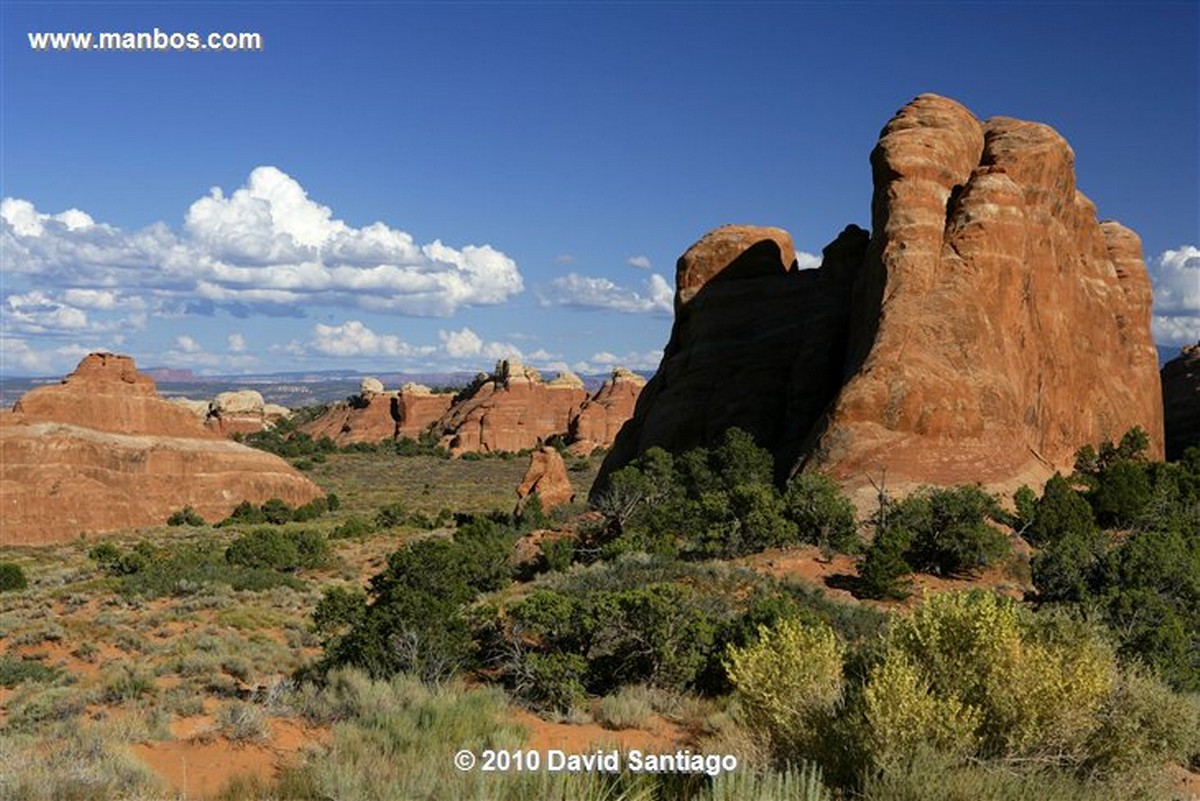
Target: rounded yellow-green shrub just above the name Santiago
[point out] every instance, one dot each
(790, 683)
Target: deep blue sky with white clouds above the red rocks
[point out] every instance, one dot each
(417, 186)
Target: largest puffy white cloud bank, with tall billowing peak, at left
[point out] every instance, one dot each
(266, 245)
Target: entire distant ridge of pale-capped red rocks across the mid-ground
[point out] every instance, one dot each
(509, 409)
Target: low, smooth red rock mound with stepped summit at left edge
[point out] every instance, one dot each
(101, 451)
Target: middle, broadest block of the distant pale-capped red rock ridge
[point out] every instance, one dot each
(511, 411)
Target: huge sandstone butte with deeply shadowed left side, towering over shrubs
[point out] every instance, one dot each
(986, 329)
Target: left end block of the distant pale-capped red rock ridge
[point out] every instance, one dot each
(376, 414)
